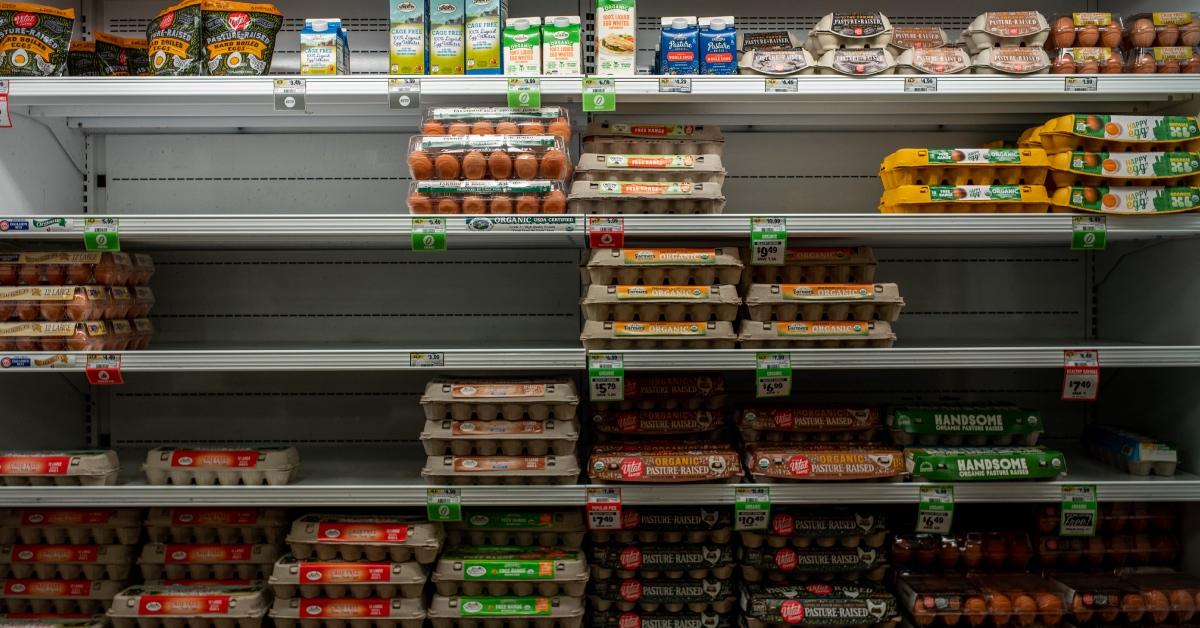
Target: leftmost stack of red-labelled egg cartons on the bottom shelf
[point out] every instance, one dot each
(65, 561)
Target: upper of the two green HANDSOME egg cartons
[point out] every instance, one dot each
(965, 426)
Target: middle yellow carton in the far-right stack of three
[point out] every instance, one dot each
(1125, 169)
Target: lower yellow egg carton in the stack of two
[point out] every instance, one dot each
(965, 200)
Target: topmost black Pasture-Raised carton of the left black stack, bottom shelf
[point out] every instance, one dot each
(670, 524)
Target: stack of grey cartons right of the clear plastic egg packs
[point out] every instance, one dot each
(650, 169)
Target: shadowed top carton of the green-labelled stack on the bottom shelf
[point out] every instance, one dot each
(496, 527)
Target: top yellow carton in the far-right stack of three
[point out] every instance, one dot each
(1135, 134)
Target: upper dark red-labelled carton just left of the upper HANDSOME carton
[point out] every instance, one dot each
(803, 423)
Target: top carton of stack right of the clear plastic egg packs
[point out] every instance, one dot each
(623, 139)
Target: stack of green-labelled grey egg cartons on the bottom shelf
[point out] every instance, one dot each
(509, 567)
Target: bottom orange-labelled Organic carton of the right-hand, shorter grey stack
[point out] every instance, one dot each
(817, 334)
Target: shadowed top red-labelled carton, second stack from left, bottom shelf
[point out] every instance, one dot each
(217, 525)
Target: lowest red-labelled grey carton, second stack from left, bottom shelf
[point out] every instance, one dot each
(196, 607)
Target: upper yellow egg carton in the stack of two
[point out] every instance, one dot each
(964, 166)
